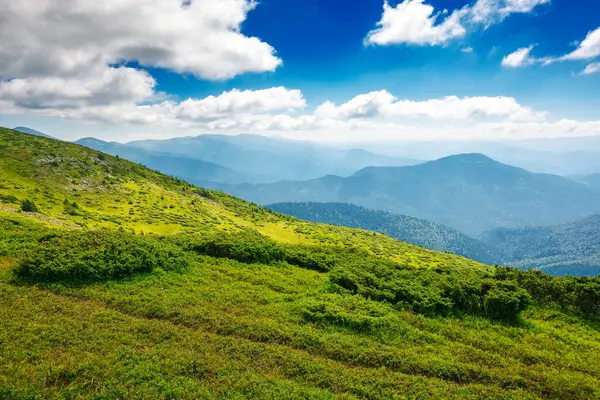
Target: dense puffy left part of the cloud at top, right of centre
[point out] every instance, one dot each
(414, 22)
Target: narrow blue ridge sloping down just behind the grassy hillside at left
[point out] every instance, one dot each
(191, 170)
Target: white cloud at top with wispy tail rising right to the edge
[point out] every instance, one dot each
(416, 23)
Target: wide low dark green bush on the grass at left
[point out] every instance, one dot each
(98, 255)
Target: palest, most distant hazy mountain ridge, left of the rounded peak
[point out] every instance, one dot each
(274, 159)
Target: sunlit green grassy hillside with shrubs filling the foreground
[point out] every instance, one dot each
(220, 299)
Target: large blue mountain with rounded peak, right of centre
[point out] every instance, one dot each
(468, 192)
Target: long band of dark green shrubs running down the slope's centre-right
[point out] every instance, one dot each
(427, 291)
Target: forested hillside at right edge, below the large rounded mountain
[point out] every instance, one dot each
(572, 248)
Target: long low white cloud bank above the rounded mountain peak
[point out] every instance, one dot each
(383, 104)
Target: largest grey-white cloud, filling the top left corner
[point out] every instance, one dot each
(74, 37)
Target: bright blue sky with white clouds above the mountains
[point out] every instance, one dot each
(322, 70)
